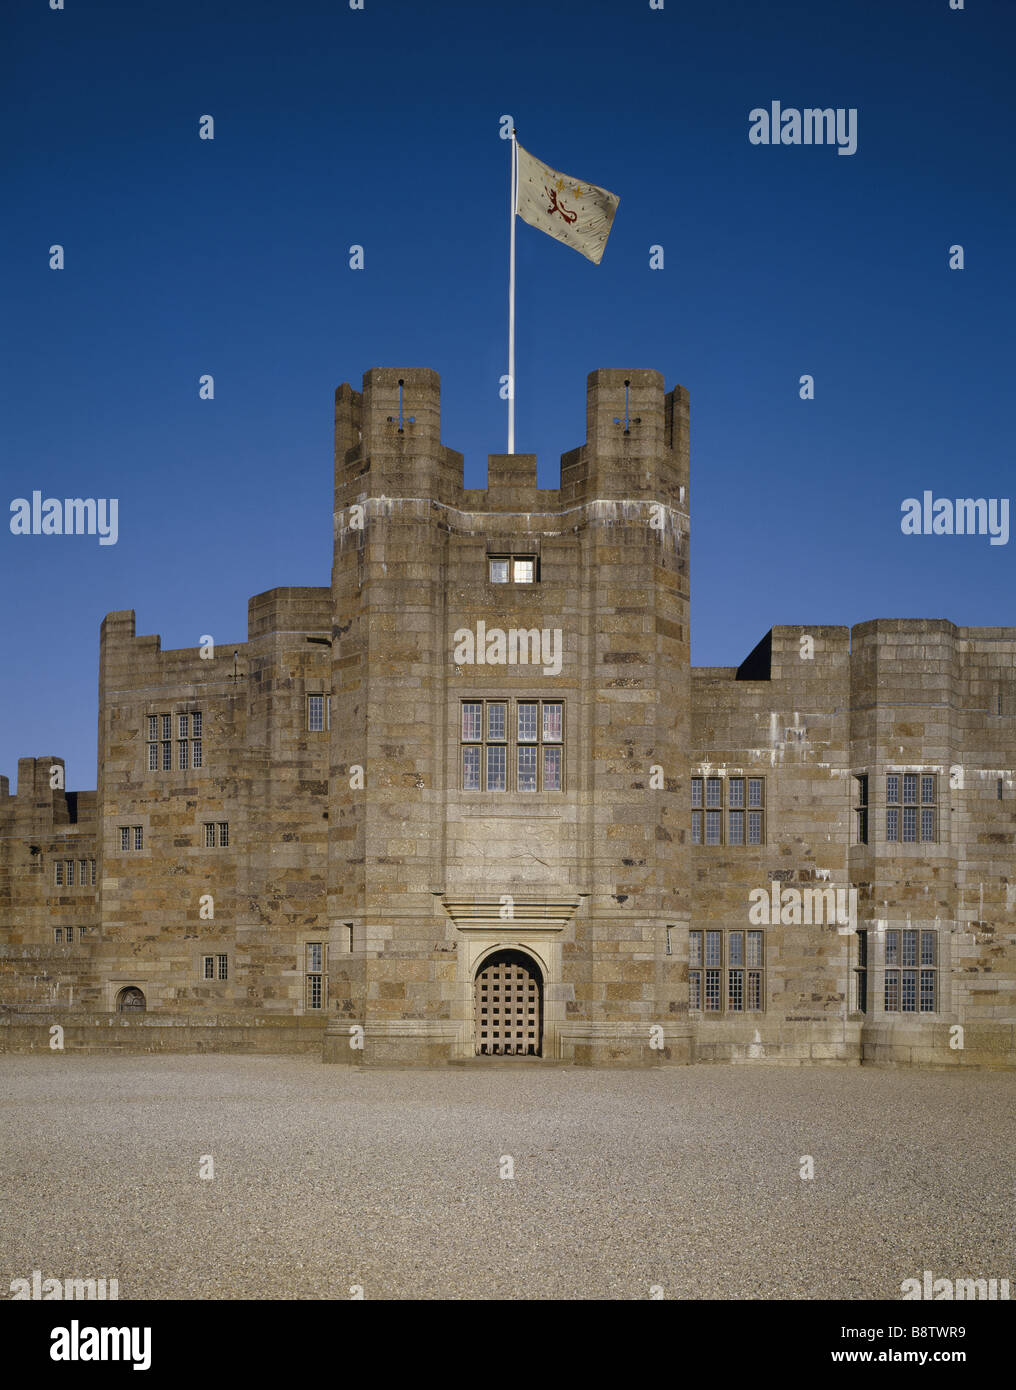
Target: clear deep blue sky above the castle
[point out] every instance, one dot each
(380, 127)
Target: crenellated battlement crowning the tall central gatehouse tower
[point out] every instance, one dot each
(388, 445)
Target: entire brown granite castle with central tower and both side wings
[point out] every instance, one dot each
(473, 800)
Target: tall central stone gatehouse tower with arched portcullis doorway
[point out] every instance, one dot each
(508, 801)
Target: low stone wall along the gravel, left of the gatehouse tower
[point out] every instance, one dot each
(161, 1033)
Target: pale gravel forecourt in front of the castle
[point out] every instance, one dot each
(327, 1178)
